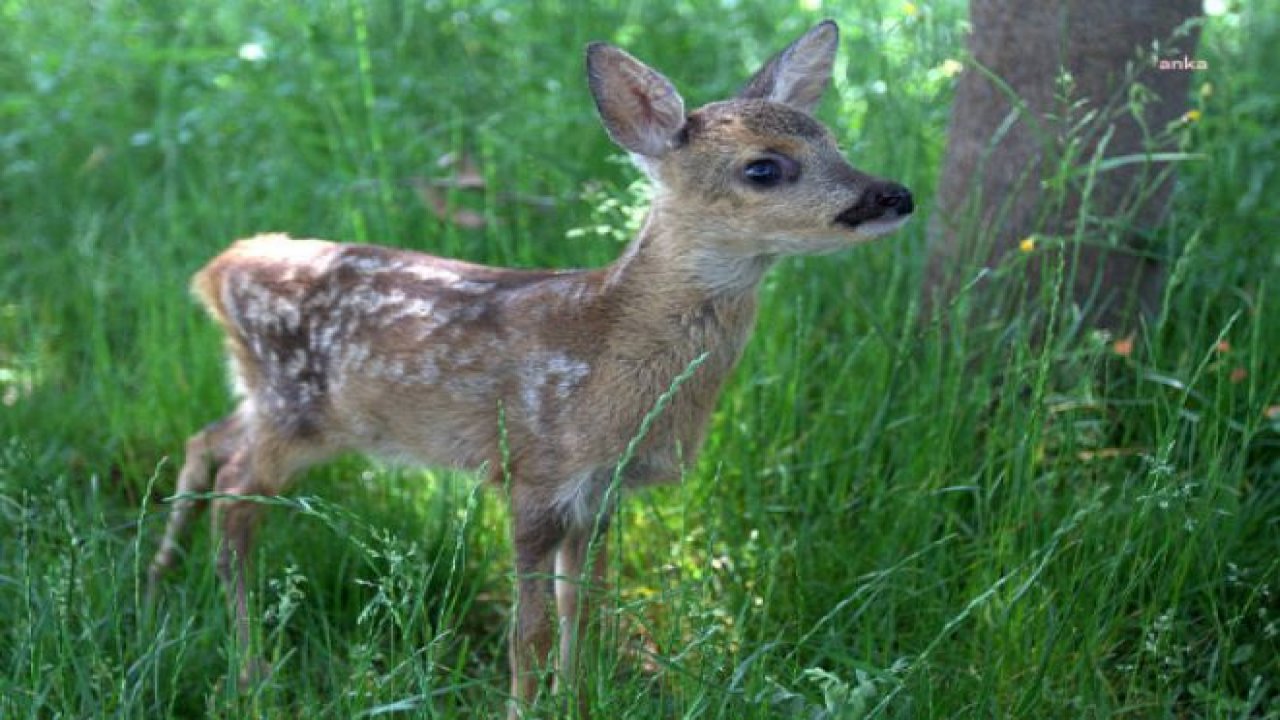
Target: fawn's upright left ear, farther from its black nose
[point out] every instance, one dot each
(641, 110)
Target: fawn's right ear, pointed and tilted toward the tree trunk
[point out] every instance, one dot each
(799, 75)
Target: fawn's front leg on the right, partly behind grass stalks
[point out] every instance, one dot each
(580, 567)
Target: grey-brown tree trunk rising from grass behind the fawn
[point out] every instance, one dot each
(1017, 162)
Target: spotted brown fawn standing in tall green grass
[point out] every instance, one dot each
(541, 377)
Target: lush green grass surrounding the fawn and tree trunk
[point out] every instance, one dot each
(886, 522)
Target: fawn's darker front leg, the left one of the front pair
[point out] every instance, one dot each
(537, 535)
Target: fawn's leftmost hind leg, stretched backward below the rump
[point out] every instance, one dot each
(211, 446)
